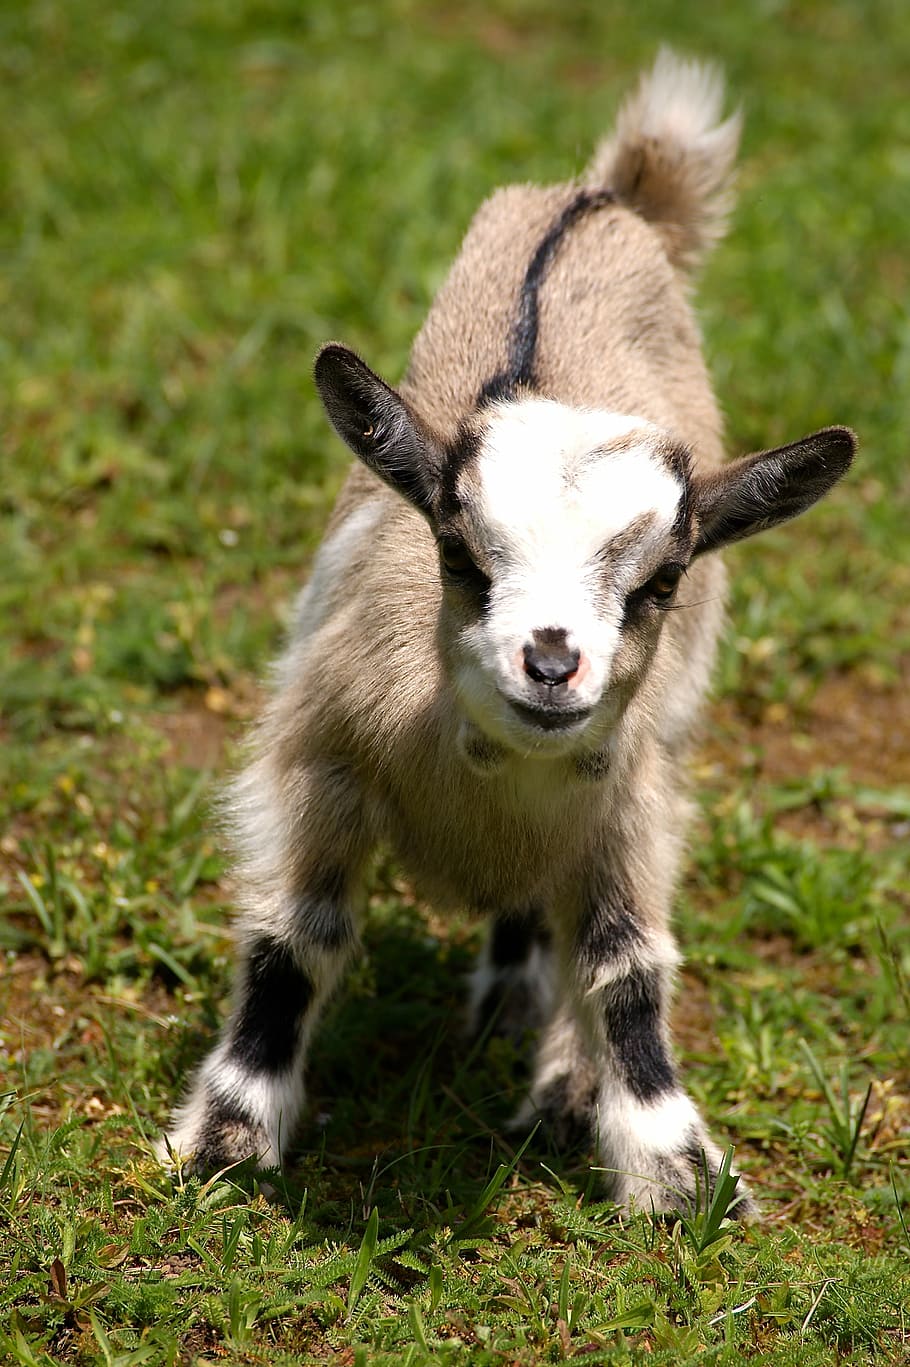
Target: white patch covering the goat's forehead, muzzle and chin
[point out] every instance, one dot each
(551, 490)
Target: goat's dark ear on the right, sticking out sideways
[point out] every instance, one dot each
(760, 491)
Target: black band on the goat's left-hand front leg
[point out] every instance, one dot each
(277, 994)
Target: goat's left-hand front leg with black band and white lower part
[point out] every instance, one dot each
(294, 941)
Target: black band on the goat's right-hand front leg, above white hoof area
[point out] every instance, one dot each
(633, 1018)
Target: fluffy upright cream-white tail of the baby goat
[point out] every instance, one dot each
(670, 157)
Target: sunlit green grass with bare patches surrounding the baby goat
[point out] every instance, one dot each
(195, 198)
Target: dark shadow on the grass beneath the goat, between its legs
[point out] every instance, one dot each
(405, 1112)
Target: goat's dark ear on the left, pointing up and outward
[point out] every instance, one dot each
(378, 426)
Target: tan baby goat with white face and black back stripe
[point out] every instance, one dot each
(504, 647)
